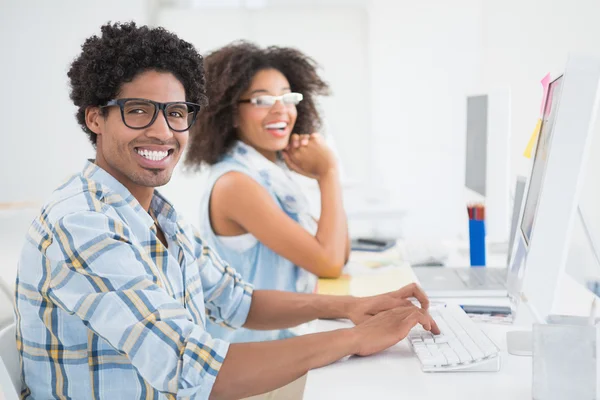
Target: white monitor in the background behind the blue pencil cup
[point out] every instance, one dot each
(487, 159)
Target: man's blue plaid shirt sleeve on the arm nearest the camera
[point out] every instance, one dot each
(97, 272)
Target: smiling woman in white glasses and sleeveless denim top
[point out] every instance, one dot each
(260, 124)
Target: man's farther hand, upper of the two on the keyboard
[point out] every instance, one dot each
(361, 309)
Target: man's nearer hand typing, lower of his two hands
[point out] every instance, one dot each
(389, 327)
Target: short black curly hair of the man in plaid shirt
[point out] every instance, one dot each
(123, 51)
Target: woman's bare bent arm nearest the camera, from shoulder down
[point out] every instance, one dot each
(239, 204)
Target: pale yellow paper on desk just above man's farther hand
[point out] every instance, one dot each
(381, 282)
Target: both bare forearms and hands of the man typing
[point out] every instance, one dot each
(382, 321)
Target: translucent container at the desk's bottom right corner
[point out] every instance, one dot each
(565, 362)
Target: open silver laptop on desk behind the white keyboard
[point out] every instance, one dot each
(469, 281)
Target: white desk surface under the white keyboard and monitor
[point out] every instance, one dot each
(396, 372)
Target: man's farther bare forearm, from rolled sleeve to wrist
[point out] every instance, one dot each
(273, 309)
